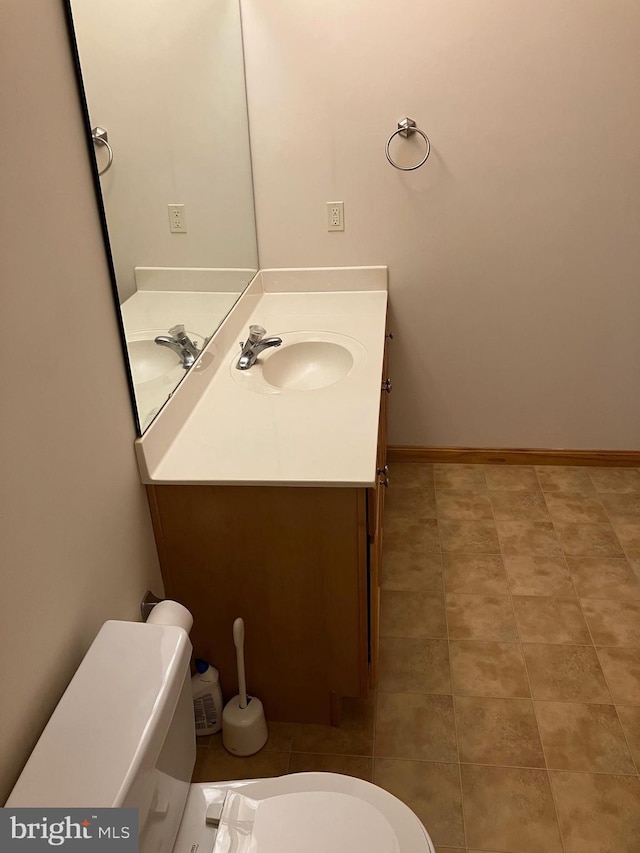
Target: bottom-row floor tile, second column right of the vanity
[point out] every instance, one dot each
(506, 808)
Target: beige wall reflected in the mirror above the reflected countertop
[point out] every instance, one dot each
(166, 80)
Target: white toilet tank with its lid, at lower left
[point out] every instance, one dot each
(123, 733)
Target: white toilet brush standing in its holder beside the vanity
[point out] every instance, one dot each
(244, 729)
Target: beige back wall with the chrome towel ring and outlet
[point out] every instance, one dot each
(514, 253)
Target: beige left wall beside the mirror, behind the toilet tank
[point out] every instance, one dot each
(77, 546)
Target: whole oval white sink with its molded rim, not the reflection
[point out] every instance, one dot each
(306, 361)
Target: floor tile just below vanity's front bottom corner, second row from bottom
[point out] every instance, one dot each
(416, 726)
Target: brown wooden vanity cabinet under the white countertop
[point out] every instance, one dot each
(300, 565)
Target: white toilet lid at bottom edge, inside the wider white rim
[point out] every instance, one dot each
(313, 821)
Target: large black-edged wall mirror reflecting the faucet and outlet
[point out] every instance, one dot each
(165, 92)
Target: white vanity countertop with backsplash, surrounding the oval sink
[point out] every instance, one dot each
(219, 430)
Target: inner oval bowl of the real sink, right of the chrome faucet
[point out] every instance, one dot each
(308, 365)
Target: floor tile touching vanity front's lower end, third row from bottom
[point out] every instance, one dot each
(414, 666)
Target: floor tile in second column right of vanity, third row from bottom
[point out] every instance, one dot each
(488, 669)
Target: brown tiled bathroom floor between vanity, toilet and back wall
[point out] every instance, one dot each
(508, 708)
